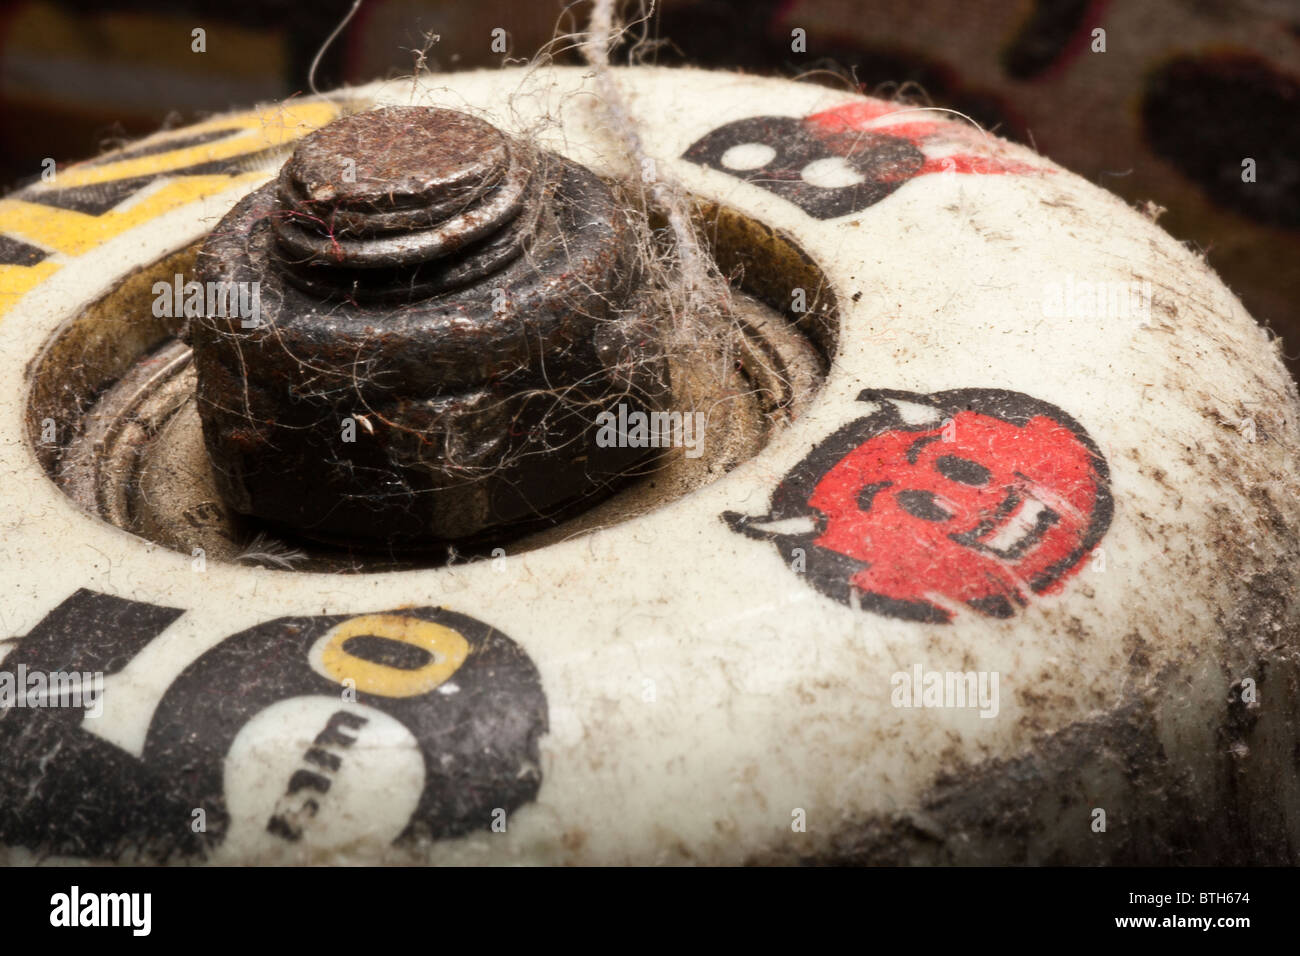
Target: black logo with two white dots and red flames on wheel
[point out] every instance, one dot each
(843, 161)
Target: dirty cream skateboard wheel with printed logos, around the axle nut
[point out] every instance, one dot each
(1029, 439)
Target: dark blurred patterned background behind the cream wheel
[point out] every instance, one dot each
(1182, 97)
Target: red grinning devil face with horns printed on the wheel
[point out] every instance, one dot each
(976, 498)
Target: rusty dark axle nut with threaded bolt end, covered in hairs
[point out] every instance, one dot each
(445, 313)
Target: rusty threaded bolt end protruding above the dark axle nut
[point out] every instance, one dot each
(369, 201)
